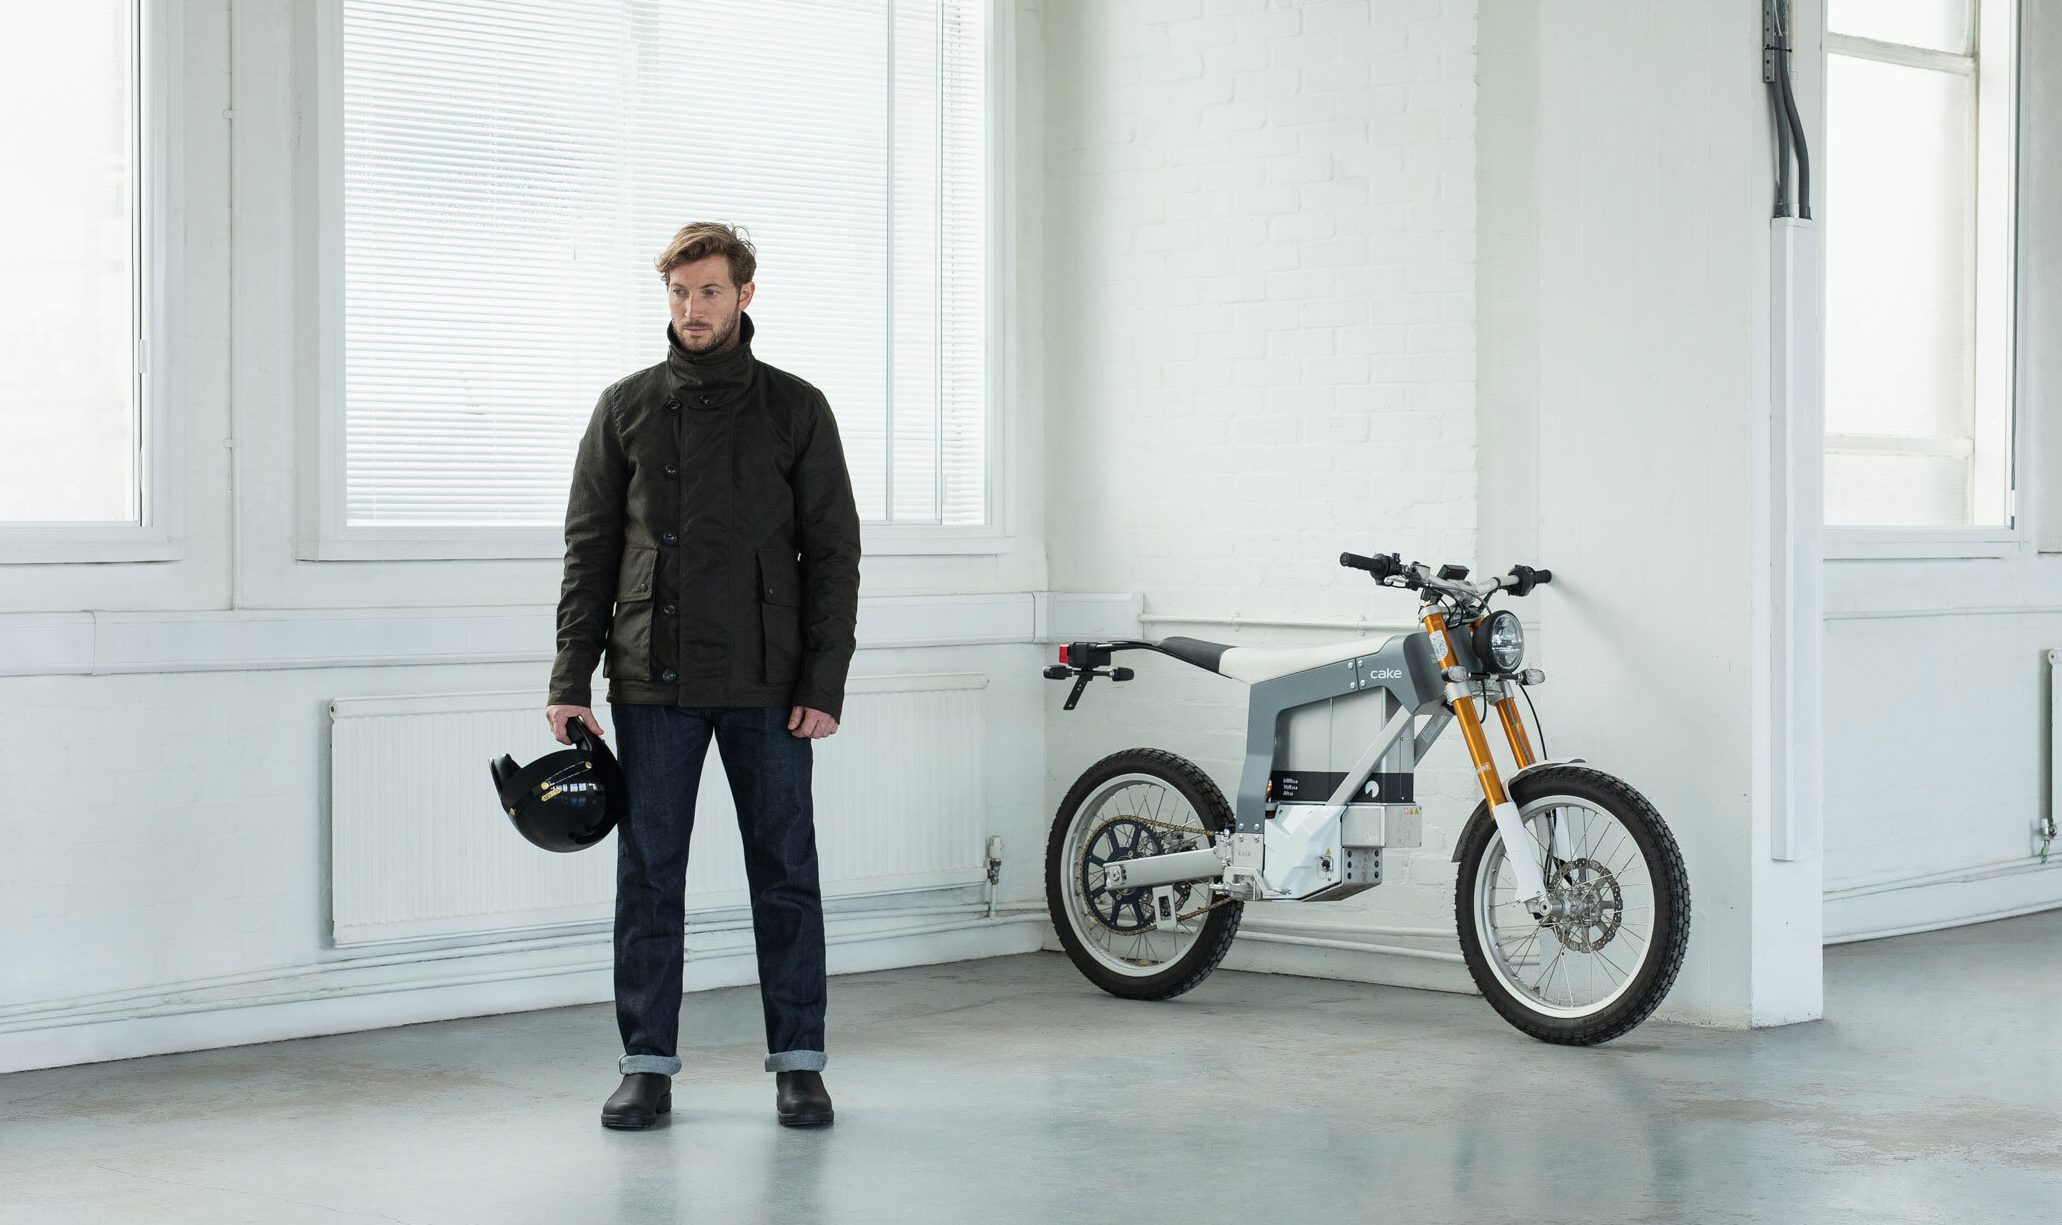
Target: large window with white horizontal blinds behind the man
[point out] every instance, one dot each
(510, 170)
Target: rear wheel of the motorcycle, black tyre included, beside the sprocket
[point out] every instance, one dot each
(1131, 805)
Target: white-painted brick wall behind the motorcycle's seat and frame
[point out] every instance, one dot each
(1261, 345)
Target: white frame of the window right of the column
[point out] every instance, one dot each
(1995, 331)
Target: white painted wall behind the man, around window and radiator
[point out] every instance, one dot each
(168, 776)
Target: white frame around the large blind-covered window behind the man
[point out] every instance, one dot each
(323, 533)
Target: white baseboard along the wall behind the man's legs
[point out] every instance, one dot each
(345, 999)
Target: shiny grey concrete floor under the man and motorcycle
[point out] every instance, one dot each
(1013, 1092)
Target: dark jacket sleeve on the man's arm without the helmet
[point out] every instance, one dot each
(828, 525)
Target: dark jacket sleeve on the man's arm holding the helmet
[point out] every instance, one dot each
(593, 554)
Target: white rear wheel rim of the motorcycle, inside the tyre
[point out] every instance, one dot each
(1148, 952)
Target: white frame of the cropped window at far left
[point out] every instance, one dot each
(156, 286)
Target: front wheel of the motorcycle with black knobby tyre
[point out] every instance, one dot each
(1618, 908)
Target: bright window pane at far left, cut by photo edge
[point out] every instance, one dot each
(77, 267)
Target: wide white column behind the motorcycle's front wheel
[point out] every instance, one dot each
(1628, 444)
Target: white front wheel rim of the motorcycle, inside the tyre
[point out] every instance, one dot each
(1543, 966)
